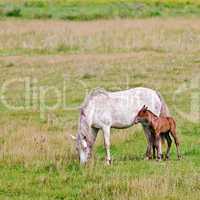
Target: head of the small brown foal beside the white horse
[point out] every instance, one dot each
(143, 116)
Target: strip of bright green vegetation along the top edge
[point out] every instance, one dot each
(97, 9)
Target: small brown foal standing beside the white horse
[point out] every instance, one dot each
(160, 128)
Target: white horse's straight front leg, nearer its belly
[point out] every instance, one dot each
(106, 134)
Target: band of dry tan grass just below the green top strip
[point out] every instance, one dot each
(101, 36)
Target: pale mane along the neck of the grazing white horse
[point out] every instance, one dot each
(94, 92)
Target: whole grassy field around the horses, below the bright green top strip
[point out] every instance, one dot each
(37, 158)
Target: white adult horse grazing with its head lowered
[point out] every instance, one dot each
(105, 110)
